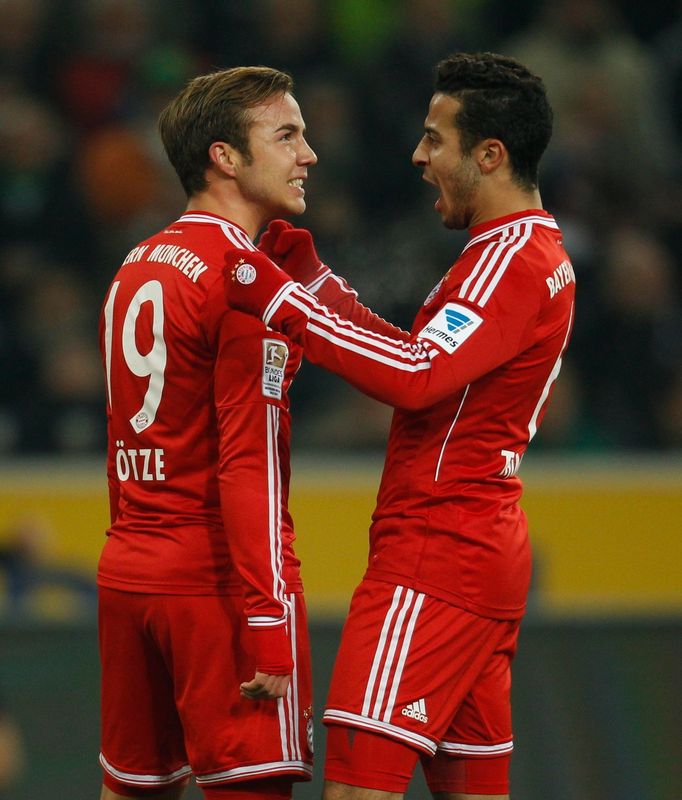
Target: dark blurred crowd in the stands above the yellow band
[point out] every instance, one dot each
(83, 177)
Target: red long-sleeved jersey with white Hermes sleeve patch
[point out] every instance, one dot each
(470, 385)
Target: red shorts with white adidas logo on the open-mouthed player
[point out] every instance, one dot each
(425, 673)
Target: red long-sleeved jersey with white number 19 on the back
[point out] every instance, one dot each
(199, 429)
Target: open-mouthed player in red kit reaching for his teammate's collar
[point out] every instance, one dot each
(423, 670)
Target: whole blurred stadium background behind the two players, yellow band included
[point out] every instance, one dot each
(598, 694)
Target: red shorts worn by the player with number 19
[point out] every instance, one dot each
(171, 670)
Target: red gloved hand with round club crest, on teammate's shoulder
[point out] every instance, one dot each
(252, 281)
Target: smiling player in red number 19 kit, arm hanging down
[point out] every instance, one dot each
(203, 636)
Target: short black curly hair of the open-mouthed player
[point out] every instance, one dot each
(501, 99)
